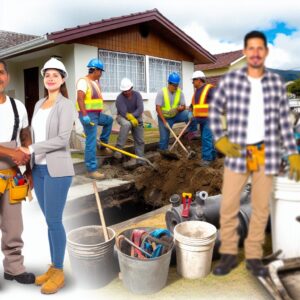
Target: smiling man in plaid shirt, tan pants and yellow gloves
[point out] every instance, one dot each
(257, 112)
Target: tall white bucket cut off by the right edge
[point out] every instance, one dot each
(285, 217)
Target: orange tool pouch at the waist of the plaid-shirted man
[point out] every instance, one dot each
(255, 156)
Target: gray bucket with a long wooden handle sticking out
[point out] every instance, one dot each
(92, 259)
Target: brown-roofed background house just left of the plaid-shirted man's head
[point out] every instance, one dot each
(225, 62)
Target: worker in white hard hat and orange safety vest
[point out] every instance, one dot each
(199, 110)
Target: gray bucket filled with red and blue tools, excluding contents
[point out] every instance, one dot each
(143, 276)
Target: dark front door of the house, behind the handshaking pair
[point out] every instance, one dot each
(31, 86)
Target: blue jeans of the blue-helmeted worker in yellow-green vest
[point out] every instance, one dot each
(164, 132)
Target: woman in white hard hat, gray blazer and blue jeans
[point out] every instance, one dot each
(52, 171)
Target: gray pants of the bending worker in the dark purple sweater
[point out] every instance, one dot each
(137, 133)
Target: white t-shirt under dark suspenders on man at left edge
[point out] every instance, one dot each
(7, 119)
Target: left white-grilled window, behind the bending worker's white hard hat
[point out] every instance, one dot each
(119, 65)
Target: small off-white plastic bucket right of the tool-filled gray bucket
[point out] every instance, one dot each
(194, 242)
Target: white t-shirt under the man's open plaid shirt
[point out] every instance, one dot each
(256, 115)
